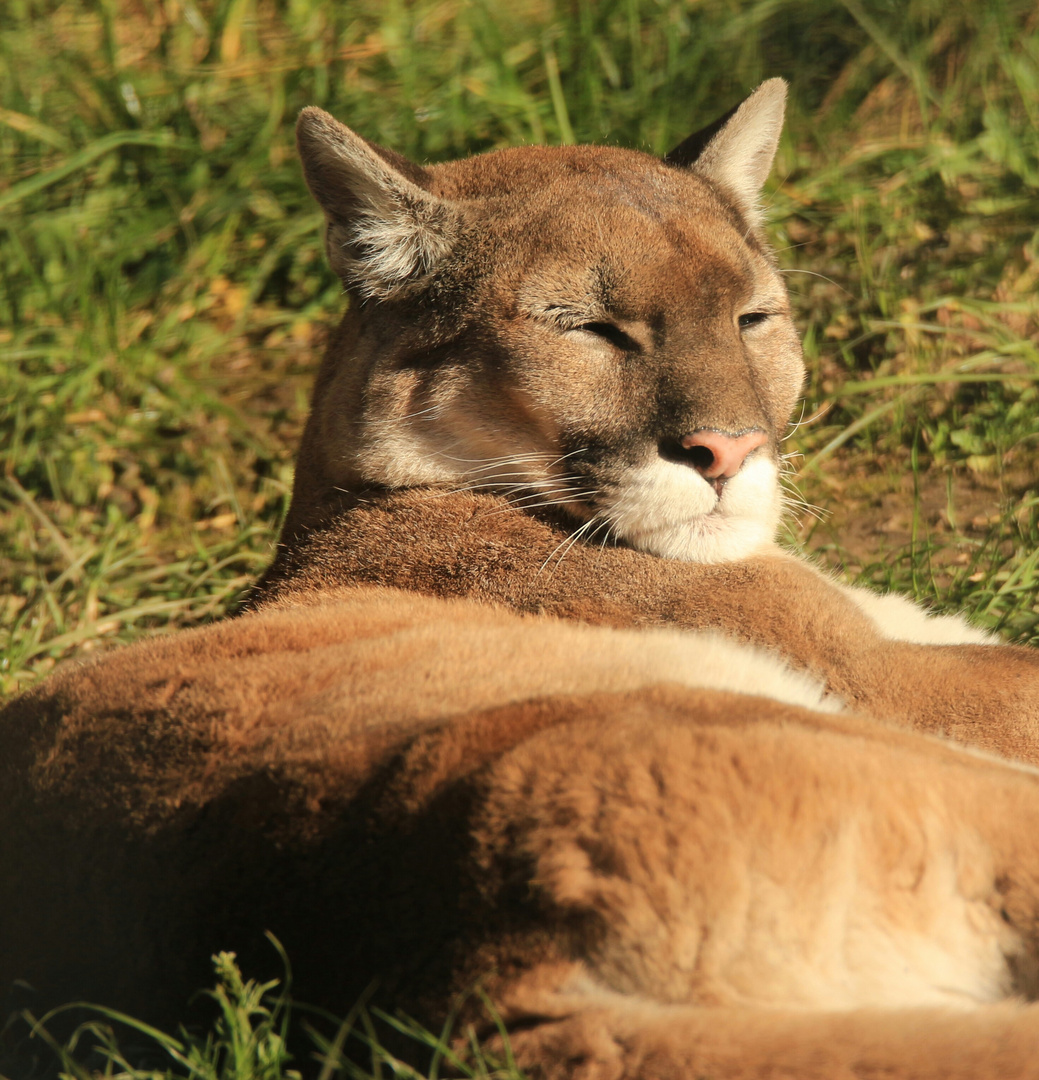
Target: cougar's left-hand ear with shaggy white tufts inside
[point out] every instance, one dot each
(385, 229)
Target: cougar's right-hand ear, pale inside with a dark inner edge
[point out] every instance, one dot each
(737, 152)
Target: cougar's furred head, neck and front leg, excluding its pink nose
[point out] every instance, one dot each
(466, 440)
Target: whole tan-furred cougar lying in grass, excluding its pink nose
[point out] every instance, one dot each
(677, 818)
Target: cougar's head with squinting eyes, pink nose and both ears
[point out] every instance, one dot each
(585, 328)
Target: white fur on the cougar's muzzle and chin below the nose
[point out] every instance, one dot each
(669, 510)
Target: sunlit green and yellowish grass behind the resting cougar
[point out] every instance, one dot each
(165, 295)
